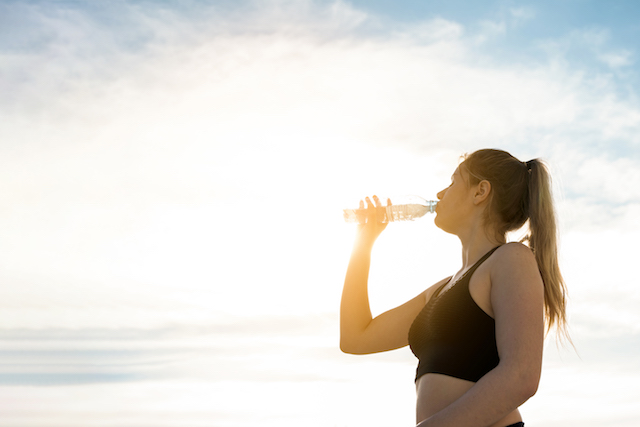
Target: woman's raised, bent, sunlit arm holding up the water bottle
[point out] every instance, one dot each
(359, 332)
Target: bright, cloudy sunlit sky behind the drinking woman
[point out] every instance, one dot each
(173, 173)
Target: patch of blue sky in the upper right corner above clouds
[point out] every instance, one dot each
(528, 29)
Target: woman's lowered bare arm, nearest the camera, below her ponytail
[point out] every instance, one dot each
(517, 299)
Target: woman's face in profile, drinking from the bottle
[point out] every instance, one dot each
(454, 202)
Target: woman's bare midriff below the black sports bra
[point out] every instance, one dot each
(436, 391)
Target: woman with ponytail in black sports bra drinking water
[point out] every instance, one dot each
(479, 334)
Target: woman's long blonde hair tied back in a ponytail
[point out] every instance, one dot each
(520, 192)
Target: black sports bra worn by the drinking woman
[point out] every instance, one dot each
(452, 335)
